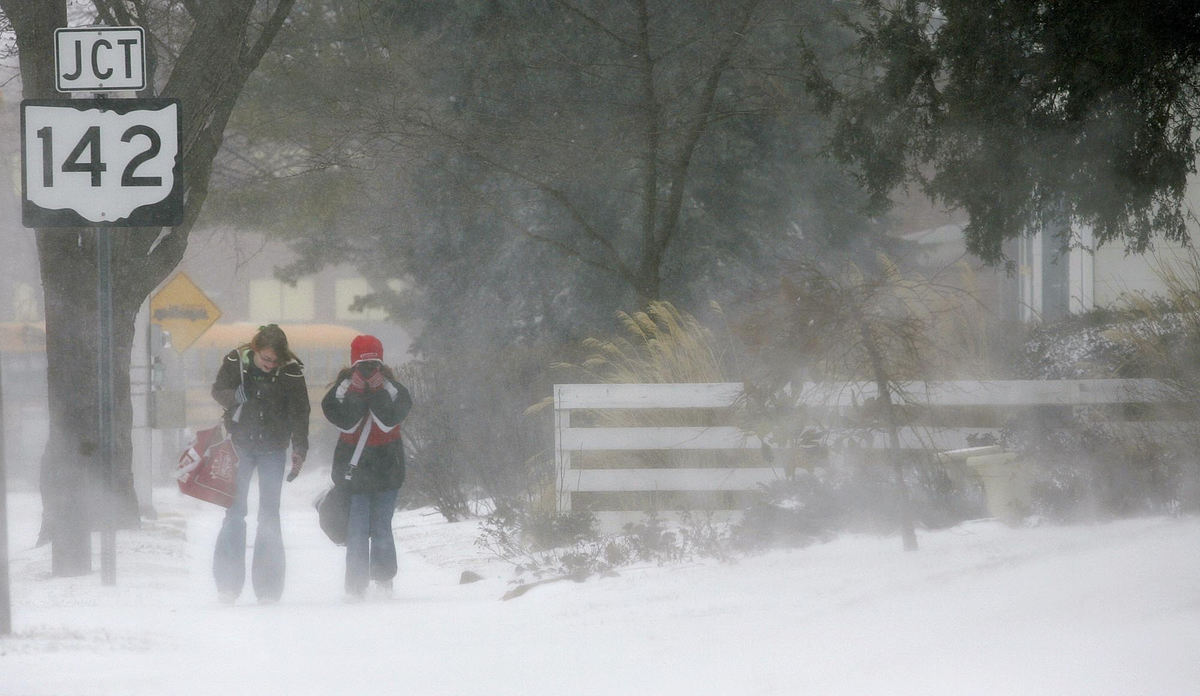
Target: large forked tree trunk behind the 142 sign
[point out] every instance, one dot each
(208, 76)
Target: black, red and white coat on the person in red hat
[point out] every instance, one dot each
(381, 467)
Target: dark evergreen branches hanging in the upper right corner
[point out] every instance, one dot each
(1027, 112)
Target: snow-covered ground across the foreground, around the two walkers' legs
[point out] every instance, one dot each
(981, 609)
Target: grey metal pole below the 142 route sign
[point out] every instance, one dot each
(105, 389)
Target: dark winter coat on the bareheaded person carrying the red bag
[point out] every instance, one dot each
(277, 409)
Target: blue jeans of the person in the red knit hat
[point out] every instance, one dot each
(370, 548)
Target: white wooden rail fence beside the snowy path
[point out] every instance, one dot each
(595, 481)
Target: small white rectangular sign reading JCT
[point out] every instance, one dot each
(100, 58)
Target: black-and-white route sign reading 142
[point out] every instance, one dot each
(109, 163)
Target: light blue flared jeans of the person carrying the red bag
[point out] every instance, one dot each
(230, 559)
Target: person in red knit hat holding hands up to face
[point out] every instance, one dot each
(368, 405)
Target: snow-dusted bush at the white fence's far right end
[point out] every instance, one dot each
(1087, 467)
